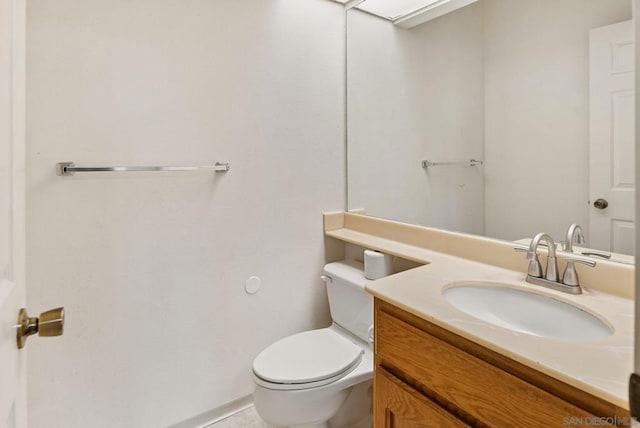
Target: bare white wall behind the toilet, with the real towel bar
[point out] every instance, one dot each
(151, 267)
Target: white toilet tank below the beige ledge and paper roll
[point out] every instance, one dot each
(351, 306)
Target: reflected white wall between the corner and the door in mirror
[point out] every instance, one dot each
(537, 112)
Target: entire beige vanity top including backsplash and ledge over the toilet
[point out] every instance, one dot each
(600, 367)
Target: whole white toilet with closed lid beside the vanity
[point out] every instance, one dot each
(323, 378)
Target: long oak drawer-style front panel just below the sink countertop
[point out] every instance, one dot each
(479, 391)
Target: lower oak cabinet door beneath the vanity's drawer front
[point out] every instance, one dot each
(397, 405)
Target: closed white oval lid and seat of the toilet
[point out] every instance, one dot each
(307, 357)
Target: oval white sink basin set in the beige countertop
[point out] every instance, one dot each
(526, 312)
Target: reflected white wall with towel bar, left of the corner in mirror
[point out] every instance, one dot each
(413, 95)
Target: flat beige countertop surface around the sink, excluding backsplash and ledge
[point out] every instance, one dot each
(600, 367)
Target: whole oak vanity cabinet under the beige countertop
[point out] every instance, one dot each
(426, 376)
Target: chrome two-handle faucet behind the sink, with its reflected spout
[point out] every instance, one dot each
(569, 283)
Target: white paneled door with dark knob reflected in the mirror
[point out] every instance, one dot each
(612, 138)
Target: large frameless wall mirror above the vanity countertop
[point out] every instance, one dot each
(501, 118)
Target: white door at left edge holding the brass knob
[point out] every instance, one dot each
(12, 257)
